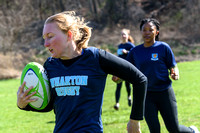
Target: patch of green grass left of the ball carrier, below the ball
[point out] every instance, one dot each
(14, 120)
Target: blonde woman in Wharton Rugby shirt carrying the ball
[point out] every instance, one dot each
(77, 76)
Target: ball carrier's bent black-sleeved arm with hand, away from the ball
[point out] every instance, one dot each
(123, 69)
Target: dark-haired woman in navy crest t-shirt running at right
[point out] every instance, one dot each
(154, 58)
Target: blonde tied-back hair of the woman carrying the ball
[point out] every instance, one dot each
(69, 21)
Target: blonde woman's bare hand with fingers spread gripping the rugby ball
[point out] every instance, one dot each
(23, 98)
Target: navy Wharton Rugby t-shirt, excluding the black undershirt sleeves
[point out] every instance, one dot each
(77, 91)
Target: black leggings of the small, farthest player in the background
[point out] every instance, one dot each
(118, 90)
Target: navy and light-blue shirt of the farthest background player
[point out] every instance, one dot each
(128, 46)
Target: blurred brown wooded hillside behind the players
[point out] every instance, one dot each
(21, 24)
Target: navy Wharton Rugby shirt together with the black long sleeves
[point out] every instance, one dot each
(77, 87)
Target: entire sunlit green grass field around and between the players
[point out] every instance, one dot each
(187, 90)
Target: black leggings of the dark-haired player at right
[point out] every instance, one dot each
(165, 103)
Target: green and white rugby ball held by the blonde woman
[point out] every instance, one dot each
(35, 75)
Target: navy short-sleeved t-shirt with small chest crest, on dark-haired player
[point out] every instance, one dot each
(154, 62)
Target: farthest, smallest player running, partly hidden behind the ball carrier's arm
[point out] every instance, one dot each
(122, 51)
